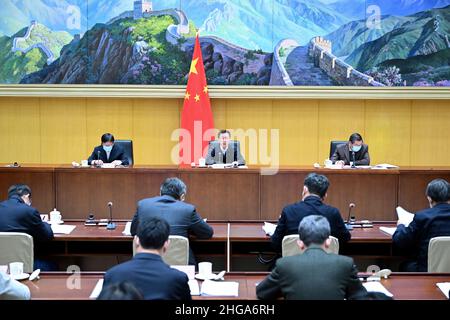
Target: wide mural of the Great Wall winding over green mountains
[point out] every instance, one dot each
(249, 42)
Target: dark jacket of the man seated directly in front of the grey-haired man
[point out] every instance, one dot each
(292, 215)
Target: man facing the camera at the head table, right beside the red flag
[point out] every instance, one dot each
(223, 151)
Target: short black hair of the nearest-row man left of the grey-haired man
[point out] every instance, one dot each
(153, 233)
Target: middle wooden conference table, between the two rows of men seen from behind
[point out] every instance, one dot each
(230, 242)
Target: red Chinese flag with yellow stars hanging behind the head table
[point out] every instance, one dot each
(197, 124)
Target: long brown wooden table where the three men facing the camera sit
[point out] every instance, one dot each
(220, 194)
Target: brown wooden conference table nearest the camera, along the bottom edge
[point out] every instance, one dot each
(64, 286)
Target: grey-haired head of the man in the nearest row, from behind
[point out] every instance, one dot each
(314, 229)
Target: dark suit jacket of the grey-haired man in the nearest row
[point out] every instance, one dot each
(313, 275)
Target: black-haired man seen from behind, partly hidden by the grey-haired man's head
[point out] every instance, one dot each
(314, 192)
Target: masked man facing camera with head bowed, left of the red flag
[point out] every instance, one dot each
(108, 152)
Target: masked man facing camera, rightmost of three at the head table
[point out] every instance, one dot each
(354, 149)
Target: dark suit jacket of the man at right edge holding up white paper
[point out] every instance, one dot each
(427, 224)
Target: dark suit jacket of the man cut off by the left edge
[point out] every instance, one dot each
(16, 216)
